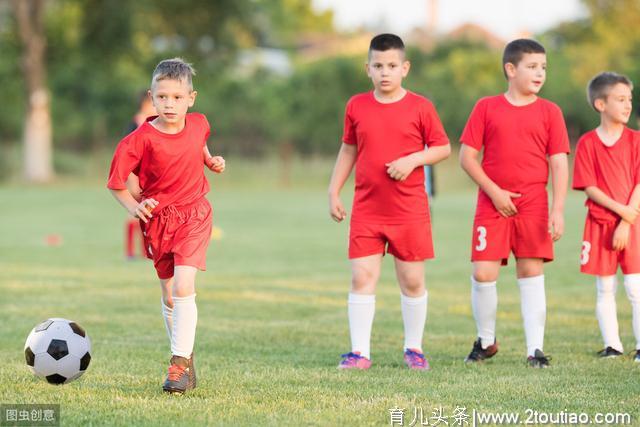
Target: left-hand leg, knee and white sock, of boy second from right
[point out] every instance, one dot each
(484, 299)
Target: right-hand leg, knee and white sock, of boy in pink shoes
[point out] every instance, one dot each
(413, 299)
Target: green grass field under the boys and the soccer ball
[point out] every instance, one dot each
(272, 317)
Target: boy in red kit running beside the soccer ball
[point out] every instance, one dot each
(166, 153)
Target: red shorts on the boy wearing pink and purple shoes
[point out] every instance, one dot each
(407, 242)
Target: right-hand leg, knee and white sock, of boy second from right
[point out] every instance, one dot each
(530, 273)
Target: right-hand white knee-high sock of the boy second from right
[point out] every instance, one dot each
(533, 305)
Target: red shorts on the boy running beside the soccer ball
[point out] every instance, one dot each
(179, 236)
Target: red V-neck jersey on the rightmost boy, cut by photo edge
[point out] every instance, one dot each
(614, 170)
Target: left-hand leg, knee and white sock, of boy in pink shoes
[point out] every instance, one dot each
(365, 272)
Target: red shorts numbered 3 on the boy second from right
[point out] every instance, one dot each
(495, 238)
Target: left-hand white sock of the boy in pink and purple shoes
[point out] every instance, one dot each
(361, 311)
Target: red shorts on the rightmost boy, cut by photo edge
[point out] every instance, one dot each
(597, 255)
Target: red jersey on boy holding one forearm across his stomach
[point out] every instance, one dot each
(384, 133)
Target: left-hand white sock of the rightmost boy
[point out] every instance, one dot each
(606, 311)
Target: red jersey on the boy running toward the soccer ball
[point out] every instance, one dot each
(169, 166)
